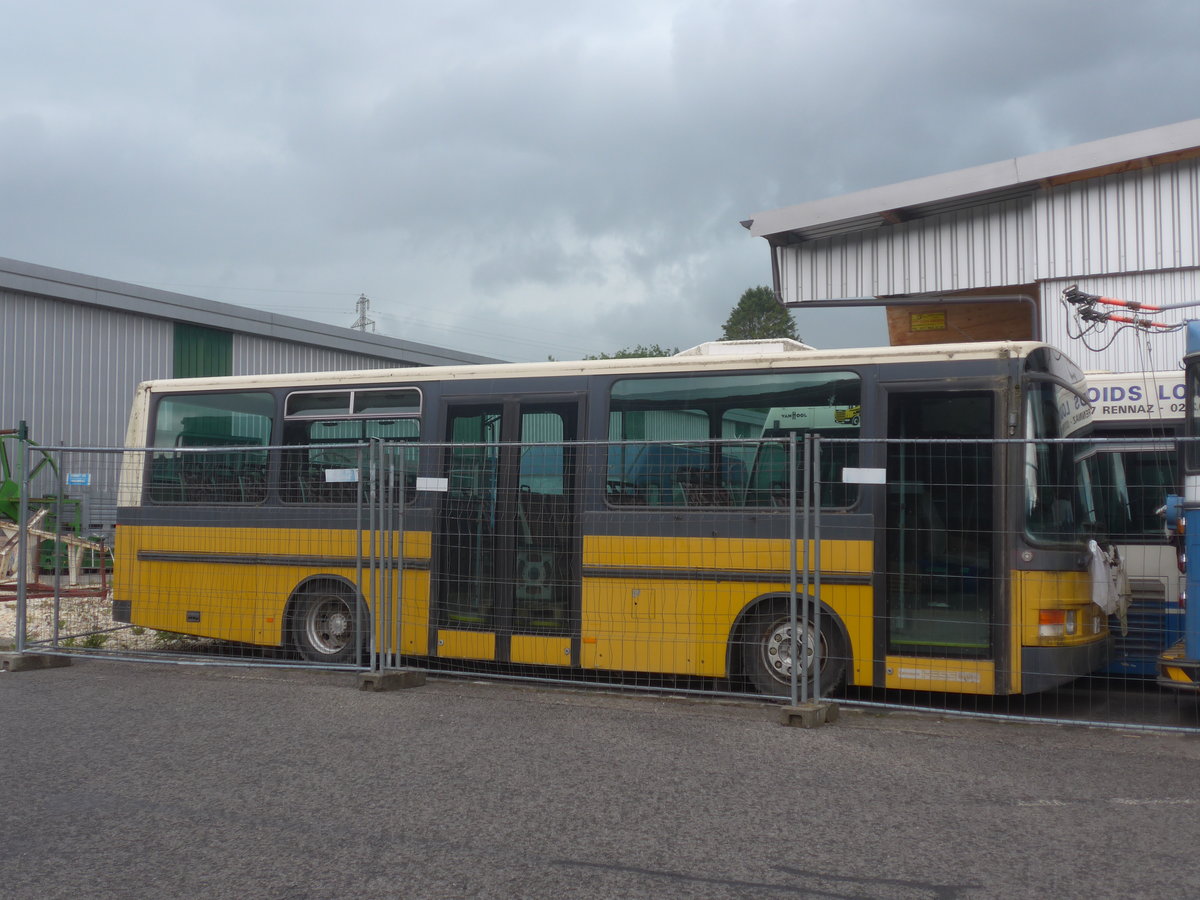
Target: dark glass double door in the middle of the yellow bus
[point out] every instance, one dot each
(508, 545)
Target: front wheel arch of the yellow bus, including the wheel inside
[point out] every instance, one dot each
(760, 647)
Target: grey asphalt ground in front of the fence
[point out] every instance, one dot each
(128, 781)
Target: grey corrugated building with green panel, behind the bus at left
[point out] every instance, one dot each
(76, 347)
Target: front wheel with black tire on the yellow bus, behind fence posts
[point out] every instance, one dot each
(766, 652)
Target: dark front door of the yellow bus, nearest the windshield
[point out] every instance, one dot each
(941, 620)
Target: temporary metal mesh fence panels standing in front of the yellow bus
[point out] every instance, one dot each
(947, 575)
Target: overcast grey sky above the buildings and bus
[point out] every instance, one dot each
(530, 178)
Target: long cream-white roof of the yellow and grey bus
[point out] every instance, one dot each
(688, 362)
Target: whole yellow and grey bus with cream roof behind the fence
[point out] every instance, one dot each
(635, 515)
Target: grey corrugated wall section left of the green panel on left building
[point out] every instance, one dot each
(70, 370)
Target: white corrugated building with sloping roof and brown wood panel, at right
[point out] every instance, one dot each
(1118, 218)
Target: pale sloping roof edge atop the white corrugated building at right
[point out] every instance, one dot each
(980, 179)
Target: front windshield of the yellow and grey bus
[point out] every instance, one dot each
(1060, 469)
